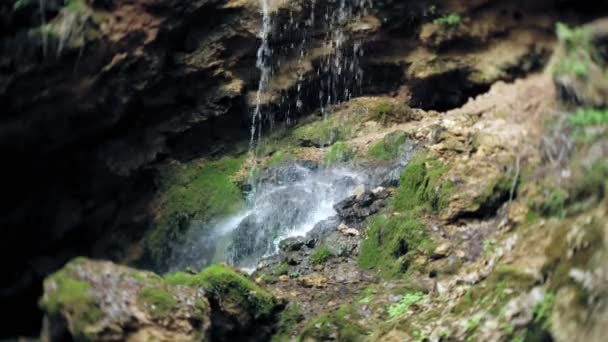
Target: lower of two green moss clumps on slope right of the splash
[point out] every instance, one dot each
(392, 243)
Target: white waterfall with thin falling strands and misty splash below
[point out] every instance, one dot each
(289, 200)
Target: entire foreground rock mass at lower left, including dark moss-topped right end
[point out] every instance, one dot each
(100, 301)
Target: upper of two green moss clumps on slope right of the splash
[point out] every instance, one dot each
(421, 186)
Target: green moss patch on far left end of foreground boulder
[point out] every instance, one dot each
(71, 296)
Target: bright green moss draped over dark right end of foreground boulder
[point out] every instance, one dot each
(232, 288)
